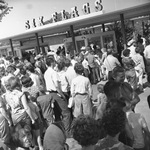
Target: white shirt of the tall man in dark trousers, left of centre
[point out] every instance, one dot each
(51, 78)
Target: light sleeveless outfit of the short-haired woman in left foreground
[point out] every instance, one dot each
(13, 99)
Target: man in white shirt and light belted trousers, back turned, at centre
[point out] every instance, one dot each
(81, 92)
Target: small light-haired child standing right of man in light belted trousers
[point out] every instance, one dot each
(101, 102)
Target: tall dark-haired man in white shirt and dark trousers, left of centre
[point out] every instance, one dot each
(53, 86)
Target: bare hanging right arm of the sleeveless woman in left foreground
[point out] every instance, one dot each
(27, 108)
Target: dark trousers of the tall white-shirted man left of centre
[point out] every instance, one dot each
(61, 106)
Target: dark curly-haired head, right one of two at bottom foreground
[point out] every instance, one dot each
(113, 121)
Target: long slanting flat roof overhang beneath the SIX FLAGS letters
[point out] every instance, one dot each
(92, 19)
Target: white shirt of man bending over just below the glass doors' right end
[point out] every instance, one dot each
(111, 62)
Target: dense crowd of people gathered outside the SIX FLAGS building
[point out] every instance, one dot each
(49, 99)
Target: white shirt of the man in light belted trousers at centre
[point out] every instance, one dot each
(81, 85)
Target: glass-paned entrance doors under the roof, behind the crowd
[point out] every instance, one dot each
(101, 40)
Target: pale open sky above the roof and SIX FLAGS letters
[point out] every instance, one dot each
(23, 10)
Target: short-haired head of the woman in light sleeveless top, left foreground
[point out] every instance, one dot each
(14, 83)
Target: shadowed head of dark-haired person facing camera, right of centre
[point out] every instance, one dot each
(118, 74)
